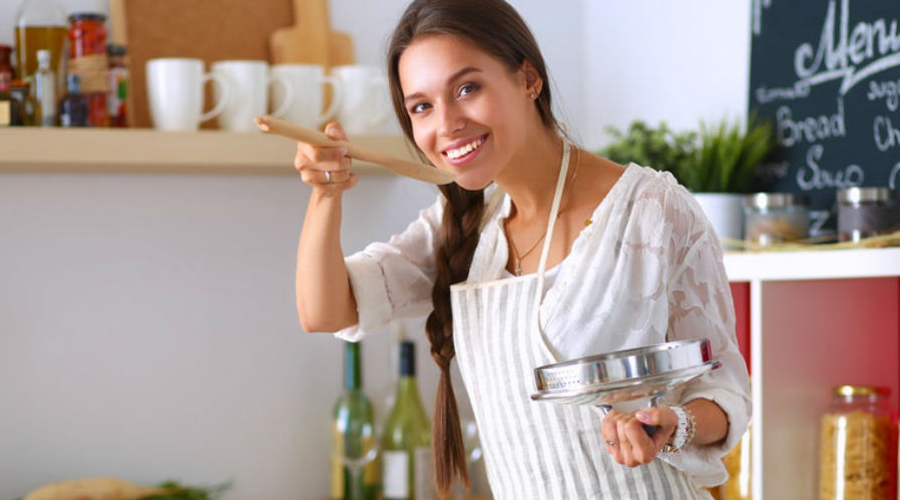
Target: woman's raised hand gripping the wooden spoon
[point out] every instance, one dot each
(325, 168)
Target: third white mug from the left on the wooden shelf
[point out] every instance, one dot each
(307, 83)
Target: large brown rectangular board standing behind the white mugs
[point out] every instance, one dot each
(211, 30)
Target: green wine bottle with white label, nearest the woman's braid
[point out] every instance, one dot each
(408, 470)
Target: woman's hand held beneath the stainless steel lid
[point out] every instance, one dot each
(627, 440)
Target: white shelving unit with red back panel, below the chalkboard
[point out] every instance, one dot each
(817, 319)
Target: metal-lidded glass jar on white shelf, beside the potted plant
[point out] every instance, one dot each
(771, 218)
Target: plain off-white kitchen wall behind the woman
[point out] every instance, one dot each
(147, 324)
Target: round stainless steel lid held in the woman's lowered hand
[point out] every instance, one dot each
(609, 378)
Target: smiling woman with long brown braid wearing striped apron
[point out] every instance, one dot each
(468, 85)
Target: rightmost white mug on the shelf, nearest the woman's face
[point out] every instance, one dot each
(365, 103)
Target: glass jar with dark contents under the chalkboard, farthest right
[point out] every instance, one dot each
(864, 212)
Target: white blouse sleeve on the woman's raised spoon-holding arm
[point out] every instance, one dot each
(393, 280)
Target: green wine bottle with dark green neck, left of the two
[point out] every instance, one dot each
(354, 464)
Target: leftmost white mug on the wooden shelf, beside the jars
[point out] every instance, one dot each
(175, 93)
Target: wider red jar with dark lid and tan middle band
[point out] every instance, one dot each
(88, 60)
